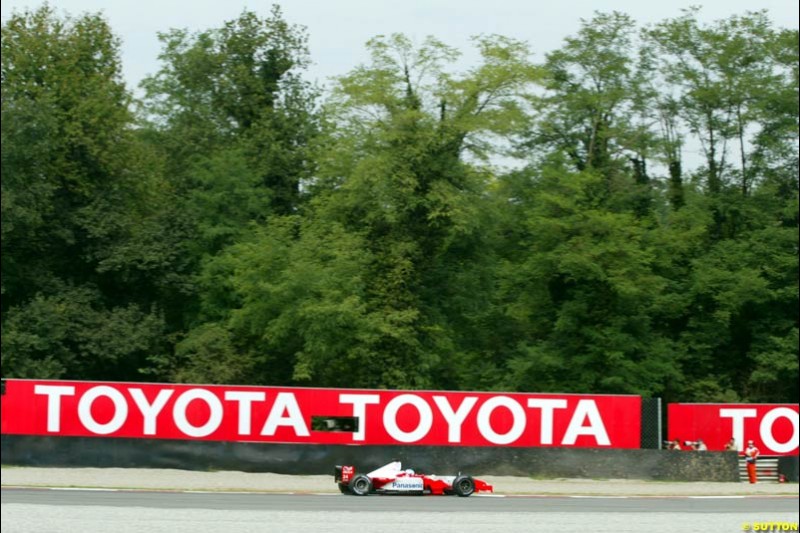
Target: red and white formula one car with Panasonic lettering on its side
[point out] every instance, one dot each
(392, 479)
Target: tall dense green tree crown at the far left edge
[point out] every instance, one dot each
(64, 139)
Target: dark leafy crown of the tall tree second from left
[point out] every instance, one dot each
(236, 88)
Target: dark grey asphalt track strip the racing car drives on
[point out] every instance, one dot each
(377, 503)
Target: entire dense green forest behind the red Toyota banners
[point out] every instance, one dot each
(619, 217)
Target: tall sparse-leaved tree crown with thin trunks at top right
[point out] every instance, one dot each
(722, 71)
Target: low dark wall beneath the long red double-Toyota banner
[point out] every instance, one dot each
(661, 465)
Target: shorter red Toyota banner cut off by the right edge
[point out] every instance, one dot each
(772, 427)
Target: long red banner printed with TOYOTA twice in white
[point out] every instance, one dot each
(283, 414)
